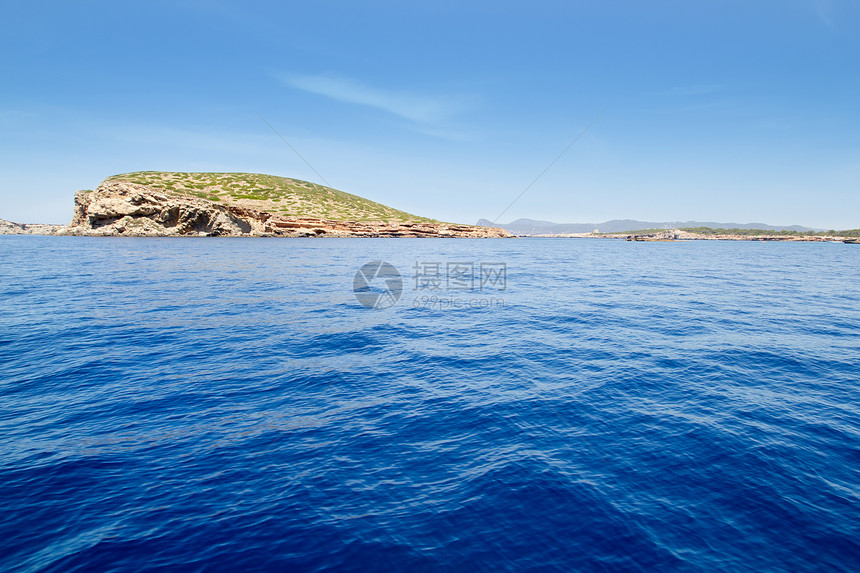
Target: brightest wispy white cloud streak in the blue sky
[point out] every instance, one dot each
(419, 109)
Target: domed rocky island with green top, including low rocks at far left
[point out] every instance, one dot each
(166, 204)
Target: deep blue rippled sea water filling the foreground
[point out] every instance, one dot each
(228, 405)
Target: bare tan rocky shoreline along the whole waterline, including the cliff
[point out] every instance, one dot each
(120, 208)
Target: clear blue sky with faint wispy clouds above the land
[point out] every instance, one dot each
(734, 111)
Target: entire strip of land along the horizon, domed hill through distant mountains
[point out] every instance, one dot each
(188, 204)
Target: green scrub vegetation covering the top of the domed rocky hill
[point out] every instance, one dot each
(290, 197)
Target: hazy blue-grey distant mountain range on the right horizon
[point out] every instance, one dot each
(535, 227)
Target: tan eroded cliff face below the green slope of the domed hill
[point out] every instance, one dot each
(121, 208)
